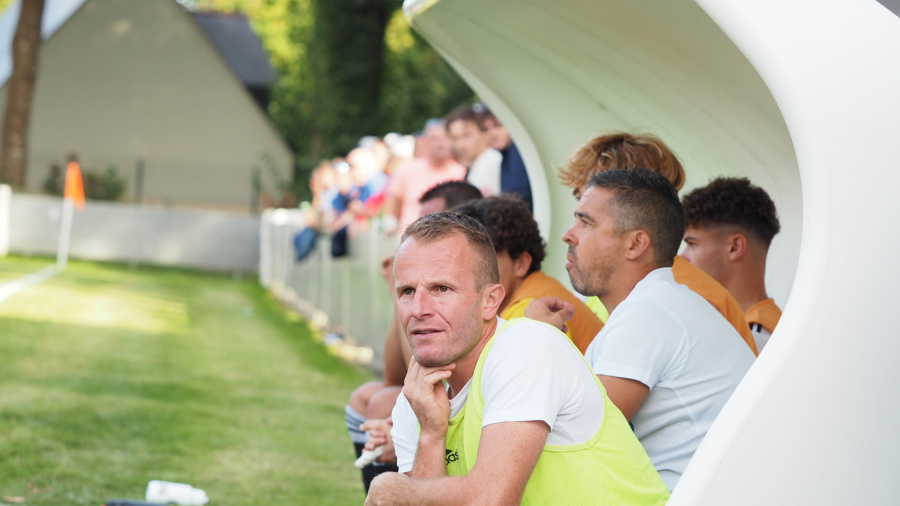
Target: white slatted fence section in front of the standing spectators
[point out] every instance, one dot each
(345, 295)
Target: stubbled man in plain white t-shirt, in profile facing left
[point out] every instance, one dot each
(668, 359)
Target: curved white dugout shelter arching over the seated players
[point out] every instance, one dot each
(803, 98)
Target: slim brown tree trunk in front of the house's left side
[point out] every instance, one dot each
(19, 93)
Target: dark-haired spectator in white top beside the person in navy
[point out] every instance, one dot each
(470, 143)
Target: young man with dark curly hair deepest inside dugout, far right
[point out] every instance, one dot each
(730, 225)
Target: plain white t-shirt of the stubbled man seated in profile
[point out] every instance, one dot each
(675, 342)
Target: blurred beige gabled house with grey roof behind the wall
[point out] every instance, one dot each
(125, 82)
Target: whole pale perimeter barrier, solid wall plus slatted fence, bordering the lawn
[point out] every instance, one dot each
(344, 296)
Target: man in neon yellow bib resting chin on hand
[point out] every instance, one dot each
(518, 395)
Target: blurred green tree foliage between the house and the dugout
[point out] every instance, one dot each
(348, 68)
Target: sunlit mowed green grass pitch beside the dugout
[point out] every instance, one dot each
(110, 378)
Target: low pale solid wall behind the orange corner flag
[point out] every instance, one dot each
(106, 231)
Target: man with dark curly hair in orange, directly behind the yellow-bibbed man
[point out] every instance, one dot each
(520, 251)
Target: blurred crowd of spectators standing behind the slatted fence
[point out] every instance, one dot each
(386, 177)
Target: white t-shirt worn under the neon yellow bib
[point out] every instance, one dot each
(532, 373)
